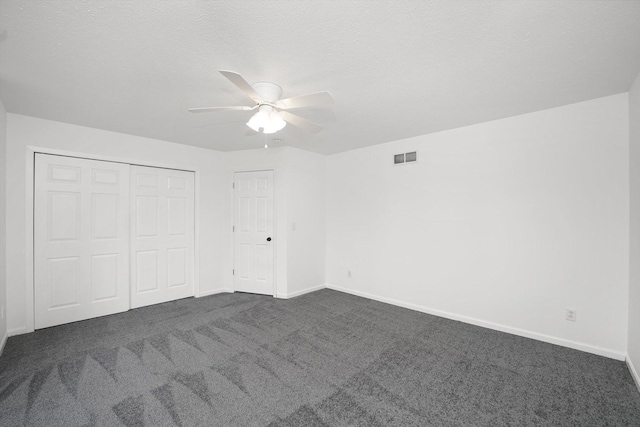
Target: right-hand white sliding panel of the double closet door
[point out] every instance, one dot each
(162, 235)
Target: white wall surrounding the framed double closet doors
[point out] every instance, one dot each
(23, 131)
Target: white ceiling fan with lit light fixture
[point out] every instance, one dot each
(273, 114)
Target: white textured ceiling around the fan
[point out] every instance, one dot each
(395, 68)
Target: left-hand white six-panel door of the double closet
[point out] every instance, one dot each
(81, 239)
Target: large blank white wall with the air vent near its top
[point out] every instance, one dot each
(503, 224)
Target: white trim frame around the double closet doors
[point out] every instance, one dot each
(29, 223)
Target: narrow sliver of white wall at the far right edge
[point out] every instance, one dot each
(634, 232)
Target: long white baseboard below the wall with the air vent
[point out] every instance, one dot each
(612, 354)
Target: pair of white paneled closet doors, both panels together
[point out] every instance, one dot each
(109, 237)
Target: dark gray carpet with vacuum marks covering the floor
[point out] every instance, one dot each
(325, 358)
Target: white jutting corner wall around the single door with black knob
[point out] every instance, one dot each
(299, 197)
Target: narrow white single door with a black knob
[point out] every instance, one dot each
(253, 232)
